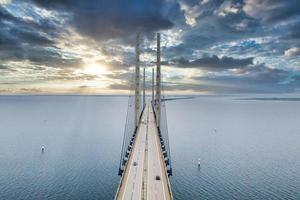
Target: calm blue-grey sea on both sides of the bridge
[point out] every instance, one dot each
(248, 149)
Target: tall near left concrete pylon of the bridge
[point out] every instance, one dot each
(137, 82)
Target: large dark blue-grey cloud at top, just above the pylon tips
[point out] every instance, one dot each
(102, 19)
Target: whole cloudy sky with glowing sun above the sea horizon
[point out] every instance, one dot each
(208, 46)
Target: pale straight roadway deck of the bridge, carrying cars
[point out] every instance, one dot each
(139, 180)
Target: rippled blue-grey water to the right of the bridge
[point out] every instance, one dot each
(248, 149)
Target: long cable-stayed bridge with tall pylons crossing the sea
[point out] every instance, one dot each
(145, 164)
